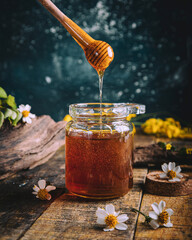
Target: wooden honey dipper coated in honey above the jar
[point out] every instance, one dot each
(98, 53)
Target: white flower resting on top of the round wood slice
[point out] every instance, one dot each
(171, 172)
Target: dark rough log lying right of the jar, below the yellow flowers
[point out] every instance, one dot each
(153, 154)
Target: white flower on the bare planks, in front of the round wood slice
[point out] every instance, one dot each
(160, 216)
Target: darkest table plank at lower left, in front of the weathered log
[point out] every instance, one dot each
(19, 209)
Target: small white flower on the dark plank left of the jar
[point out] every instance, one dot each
(42, 191)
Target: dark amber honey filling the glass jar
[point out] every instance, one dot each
(99, 166)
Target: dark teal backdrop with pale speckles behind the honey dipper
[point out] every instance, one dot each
(40, 63)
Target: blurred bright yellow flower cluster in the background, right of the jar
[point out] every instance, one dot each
(165, 128)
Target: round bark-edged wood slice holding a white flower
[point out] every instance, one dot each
(157, 186)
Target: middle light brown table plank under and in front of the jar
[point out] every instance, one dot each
(70, 217)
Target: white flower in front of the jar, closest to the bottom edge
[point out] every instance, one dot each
(111, 218)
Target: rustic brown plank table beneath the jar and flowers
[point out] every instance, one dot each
(22, 216)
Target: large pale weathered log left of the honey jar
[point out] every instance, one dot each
(29, 145)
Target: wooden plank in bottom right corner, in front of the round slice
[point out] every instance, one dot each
(181, 219)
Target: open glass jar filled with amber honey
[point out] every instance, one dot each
(99, 149)
